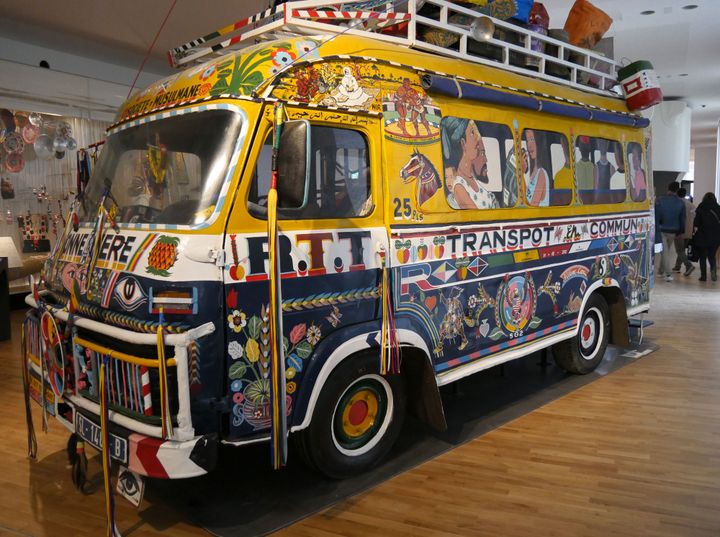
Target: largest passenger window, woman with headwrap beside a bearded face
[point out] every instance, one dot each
(479, 164)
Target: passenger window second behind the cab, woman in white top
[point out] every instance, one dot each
(546, 168)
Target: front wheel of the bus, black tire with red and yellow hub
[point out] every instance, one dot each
(356, 420)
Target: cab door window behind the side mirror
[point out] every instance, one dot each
(339, 177)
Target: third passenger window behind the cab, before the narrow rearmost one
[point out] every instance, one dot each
(599, 170)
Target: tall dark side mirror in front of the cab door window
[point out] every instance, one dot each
(294, 165)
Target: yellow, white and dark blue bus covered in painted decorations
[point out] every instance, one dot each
(450, 212)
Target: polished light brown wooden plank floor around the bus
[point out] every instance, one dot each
(636, 453)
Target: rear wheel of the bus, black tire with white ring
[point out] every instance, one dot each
(584, 352)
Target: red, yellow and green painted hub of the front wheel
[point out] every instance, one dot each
(359, 414)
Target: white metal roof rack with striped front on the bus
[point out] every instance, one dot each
(435, 26)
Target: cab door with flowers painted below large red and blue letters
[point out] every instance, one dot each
(330, 270)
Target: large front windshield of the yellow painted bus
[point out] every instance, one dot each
(168, 171)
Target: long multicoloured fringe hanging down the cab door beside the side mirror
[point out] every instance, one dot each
(277, 370)
